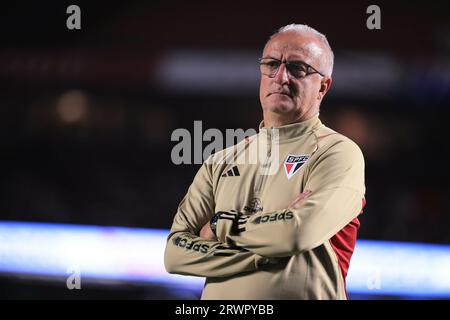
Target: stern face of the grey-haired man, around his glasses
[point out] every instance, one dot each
(283, 93)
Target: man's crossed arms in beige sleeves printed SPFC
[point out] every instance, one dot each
(336, 182)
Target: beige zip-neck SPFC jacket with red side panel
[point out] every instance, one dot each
(266, 250)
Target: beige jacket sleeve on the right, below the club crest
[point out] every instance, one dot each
(336, 179)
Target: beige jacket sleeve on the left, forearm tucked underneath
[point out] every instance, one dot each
(188, 254)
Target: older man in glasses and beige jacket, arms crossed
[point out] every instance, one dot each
(288, 234)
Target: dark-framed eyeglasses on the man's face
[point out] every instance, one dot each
(298, 69)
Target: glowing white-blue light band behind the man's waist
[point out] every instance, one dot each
(136, 255)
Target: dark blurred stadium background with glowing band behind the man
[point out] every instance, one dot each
(86, 118)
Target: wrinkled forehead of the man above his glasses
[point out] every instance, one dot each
(293, 45)
